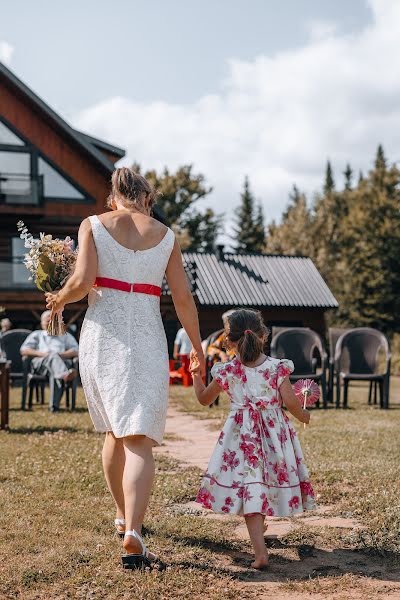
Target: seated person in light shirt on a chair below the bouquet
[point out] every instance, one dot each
(51, 355)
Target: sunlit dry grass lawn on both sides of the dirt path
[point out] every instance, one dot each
(57, 516)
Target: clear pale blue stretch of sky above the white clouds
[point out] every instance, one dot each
(171, 50)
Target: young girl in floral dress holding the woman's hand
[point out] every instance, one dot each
(257, 466)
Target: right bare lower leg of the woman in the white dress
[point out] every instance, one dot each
(137, 483)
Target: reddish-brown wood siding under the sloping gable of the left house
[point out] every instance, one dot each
(81, 167)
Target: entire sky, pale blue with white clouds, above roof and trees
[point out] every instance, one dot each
(266, 88)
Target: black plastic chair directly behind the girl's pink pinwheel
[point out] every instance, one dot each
(300, 345)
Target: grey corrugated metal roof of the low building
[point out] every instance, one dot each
(257, 280)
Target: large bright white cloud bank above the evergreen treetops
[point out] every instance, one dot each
(276, 118)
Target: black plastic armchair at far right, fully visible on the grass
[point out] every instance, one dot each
(357, 359)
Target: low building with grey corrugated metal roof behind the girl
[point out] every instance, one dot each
(288, 290)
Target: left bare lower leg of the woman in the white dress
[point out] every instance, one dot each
(113, 457)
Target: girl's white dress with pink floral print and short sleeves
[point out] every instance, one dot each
(257, 465)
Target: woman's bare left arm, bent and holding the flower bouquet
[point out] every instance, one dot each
(84, 275)
